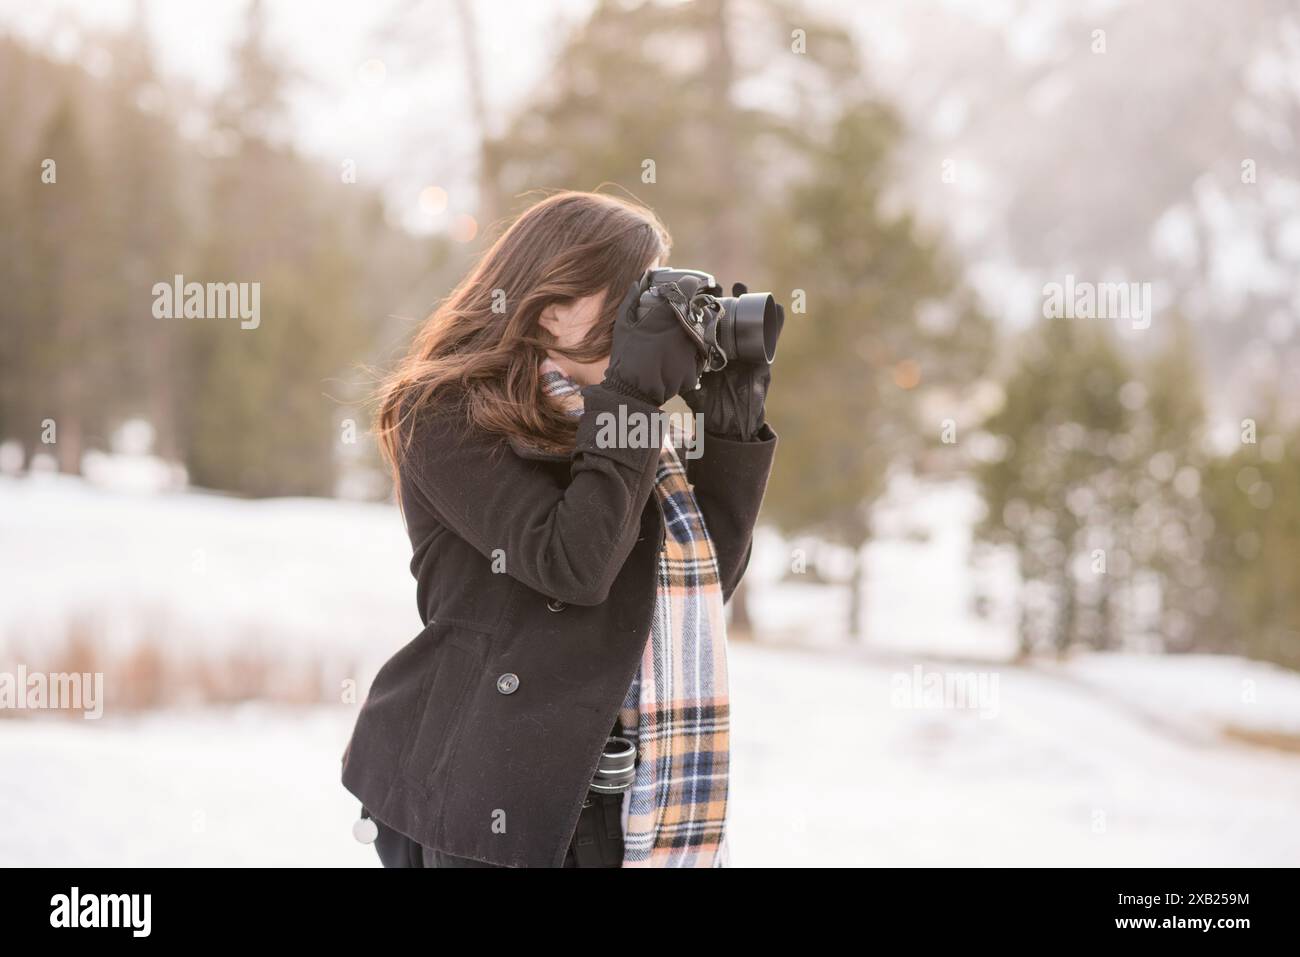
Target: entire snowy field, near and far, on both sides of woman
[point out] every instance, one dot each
(839, 756)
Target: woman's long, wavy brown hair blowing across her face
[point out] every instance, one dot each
(482, 348)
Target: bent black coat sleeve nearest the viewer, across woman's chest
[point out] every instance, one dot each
(566, 543)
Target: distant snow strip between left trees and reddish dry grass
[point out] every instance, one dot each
(309, 577)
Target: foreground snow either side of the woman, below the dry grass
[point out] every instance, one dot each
(830, 769)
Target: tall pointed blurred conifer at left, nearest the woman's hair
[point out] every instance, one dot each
(259, 419)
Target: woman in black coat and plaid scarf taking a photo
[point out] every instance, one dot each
(571, 586)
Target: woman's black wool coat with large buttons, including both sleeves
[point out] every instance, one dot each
(536, 579)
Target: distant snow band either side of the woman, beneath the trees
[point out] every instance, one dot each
(332, 579)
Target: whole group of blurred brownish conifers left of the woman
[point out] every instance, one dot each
(132, 203)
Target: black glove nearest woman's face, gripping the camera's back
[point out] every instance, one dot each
(652, 358)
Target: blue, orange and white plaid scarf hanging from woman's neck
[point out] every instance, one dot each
(677, 711)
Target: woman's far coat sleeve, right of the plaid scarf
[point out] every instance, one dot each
(730, 479)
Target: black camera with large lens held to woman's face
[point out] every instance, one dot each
(743, 327)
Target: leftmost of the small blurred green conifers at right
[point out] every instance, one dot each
(1058, 492)
